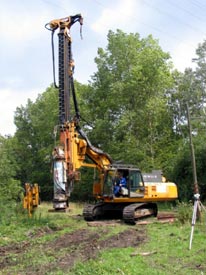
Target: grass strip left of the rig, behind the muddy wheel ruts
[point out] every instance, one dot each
(23, 227)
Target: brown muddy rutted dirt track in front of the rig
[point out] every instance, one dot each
(67, 249)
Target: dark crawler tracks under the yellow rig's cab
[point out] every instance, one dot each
(129, 213)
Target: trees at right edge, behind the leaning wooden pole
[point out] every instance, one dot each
(190, 89)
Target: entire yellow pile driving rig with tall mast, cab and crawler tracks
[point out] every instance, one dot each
(133, 200)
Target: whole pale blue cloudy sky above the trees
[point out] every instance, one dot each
(25, 47)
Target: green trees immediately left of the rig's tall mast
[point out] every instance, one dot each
(35, 140)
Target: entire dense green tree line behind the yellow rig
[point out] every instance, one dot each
(134, 108)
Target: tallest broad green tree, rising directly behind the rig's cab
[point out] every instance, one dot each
(128, 102)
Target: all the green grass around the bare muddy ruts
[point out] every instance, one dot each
(167, 243)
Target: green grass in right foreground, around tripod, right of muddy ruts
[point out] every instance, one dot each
(169, 248)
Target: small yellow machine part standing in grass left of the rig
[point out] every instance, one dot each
(31, 198)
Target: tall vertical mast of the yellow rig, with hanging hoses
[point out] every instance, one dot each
(63, 155)
